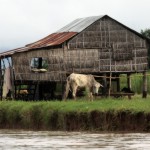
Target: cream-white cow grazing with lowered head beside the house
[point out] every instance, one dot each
(75, 81)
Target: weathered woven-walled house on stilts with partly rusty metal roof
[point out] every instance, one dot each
(97, 45)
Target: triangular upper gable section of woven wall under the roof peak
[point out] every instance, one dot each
(103, 31)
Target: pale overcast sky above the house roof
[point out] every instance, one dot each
(26, 21)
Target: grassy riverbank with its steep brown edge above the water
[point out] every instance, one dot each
(70, 114)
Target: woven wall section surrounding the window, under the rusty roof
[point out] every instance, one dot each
(55, 71)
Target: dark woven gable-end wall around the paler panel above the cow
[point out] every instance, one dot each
(117, 48)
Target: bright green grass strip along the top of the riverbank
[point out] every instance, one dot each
(102, 104)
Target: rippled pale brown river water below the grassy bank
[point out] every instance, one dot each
(47, 140)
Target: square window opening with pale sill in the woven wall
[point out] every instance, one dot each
(39, 64)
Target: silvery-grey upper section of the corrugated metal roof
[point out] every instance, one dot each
(79, 24)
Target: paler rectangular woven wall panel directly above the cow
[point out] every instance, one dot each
(86, 60)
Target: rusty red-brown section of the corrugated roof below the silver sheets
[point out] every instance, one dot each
(52, 39)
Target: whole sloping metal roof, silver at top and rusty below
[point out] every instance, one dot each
(59, 37)
